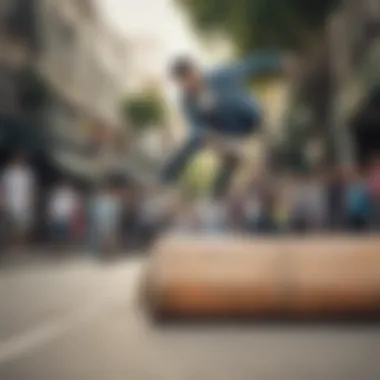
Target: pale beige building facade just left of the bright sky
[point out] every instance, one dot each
(86, 63)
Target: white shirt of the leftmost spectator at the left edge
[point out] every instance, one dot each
(18, 184)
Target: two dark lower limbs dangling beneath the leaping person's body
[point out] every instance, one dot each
(178, 163)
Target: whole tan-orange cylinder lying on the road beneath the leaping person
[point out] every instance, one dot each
(230, 277)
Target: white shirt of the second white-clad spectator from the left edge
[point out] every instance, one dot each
(63, 203)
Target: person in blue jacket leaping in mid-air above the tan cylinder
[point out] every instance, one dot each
(220, 112)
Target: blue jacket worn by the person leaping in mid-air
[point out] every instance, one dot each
(236, 112)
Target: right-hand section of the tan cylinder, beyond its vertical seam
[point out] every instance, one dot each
(335, 277)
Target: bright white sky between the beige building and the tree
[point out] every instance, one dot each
(162, 22)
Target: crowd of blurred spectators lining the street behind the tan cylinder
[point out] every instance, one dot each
(113, 216)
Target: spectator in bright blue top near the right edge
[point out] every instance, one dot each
(357, 202)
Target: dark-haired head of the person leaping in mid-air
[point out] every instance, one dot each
(186, 73)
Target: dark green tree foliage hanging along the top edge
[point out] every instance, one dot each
(255, 24)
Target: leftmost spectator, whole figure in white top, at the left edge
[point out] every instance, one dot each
(19, 189)
